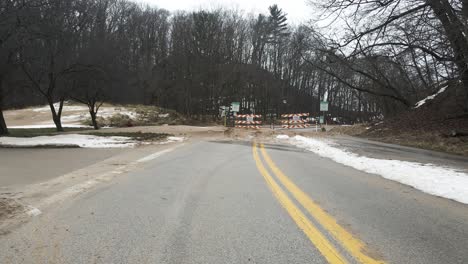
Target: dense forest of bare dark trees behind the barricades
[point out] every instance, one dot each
(386, 56)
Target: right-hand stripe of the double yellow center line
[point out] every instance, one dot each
(353, 245)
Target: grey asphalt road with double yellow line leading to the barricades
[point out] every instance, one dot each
(232, 202)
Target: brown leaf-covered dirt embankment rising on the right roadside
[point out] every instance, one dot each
(439, 124)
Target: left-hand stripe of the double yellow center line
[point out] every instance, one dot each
(327, 249)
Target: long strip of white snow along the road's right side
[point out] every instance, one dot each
(429, 178)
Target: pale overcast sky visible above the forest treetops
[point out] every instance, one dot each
(297, 10)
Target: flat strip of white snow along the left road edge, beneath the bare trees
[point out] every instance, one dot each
(84, 141)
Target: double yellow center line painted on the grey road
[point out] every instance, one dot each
(353, 246)
